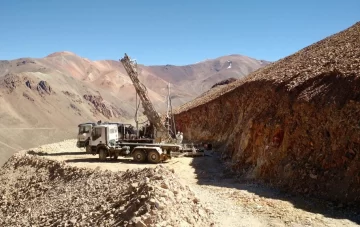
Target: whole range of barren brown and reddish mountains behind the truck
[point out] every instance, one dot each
(43, 100)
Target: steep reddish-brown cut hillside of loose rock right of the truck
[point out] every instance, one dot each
(294, 123)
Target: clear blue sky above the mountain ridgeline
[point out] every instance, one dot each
(169, 32)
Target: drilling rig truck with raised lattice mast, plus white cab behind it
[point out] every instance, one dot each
(104, 139)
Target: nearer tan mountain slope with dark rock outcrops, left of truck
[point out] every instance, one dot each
(36, 109)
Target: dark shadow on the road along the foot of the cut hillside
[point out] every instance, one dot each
(210, 170)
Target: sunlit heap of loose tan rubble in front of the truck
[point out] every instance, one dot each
(40, 192)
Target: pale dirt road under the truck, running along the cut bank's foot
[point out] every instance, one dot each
(233, 201)
